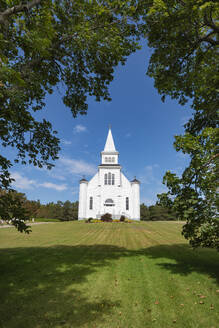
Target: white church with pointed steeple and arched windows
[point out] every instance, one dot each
(109, 191)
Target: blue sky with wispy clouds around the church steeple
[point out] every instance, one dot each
(142, 126)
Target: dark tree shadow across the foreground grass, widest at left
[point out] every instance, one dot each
(43, 286)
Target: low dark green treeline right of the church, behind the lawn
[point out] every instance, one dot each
(156, 213)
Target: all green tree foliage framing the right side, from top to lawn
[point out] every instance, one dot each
(184, 36)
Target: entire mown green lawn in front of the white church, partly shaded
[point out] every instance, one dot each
(106, 275)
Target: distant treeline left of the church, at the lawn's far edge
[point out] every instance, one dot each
(63, 211)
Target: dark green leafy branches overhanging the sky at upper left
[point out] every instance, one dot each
(45, 43)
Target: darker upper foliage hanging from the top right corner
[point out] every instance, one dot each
(184, 36)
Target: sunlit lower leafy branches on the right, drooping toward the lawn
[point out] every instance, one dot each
(194, 195)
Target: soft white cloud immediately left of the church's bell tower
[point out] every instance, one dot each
(74, 166)
